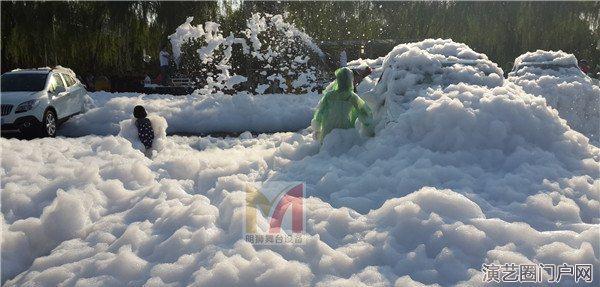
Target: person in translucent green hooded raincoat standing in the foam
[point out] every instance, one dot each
(340, 107)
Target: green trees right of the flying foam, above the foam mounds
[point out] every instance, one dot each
(502, 30)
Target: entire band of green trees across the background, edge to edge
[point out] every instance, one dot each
(112, 37)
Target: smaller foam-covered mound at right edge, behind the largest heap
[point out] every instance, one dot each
(556, 77)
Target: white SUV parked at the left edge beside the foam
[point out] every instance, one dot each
(36, 101)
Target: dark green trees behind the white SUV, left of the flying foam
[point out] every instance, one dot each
(91, 37)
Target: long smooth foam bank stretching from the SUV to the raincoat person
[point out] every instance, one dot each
(197, 113)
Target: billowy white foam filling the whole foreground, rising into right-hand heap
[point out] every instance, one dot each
(466, 174)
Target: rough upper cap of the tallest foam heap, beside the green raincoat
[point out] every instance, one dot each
(429, 63)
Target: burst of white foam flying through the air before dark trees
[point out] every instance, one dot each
(270, 56)
